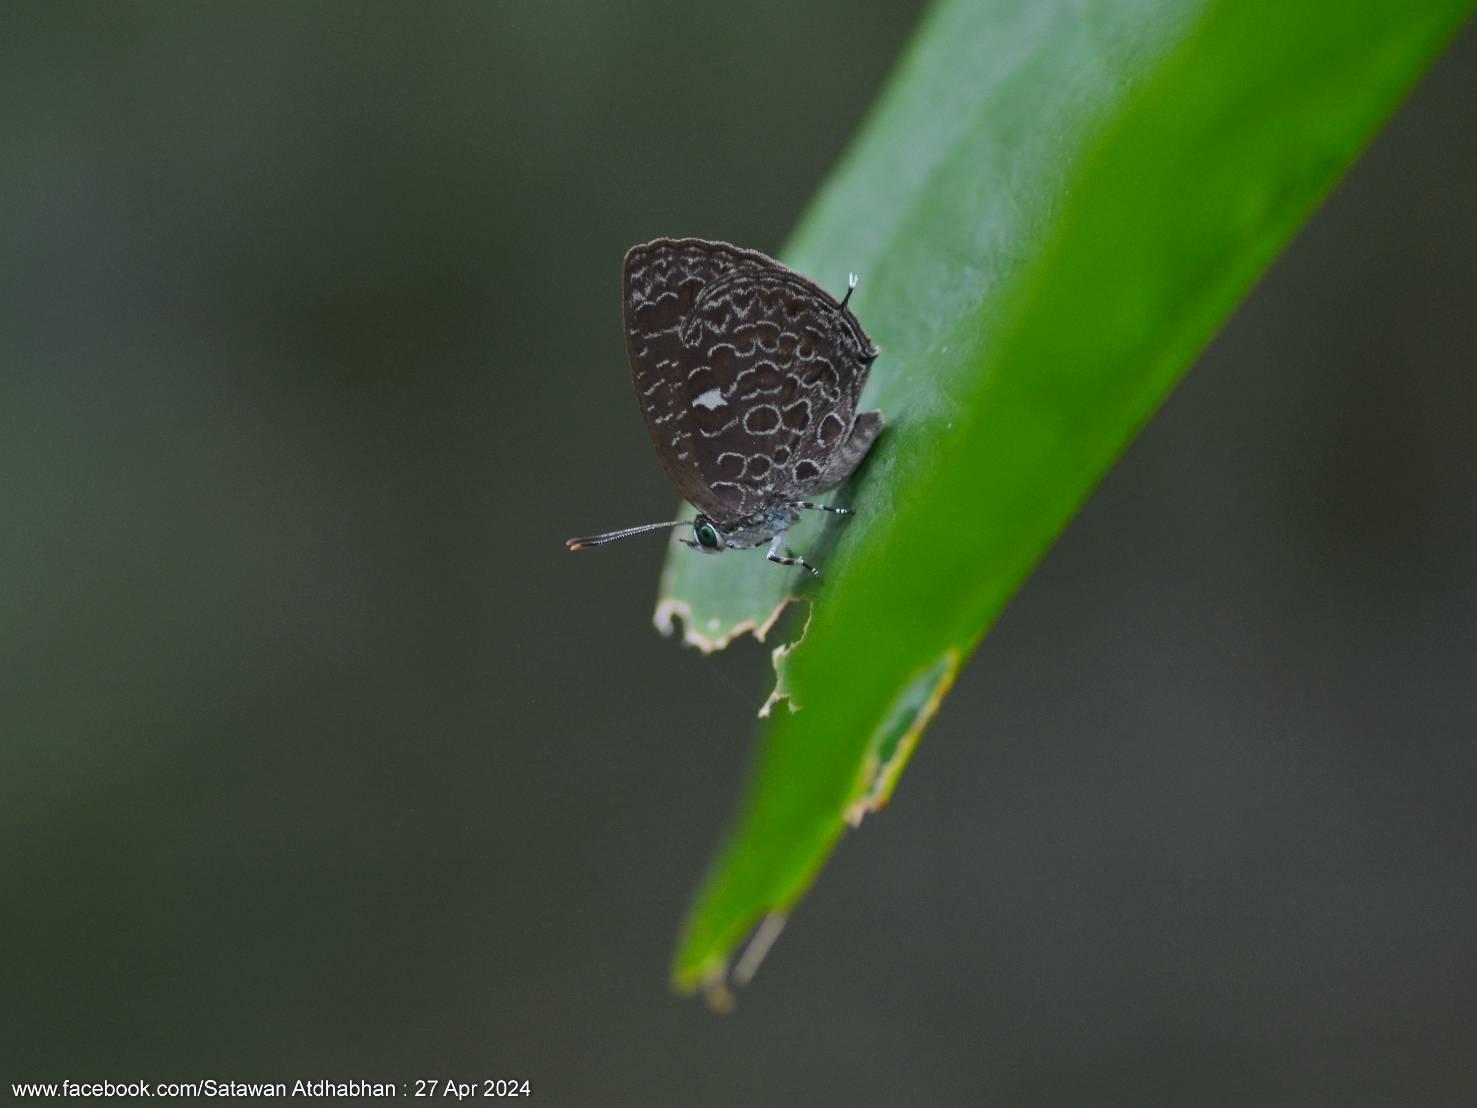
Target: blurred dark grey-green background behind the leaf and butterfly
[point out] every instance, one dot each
(321, 759)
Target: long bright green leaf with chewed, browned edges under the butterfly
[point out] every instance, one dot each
(1054, 208)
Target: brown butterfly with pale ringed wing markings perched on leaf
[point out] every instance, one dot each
(748, 376)
